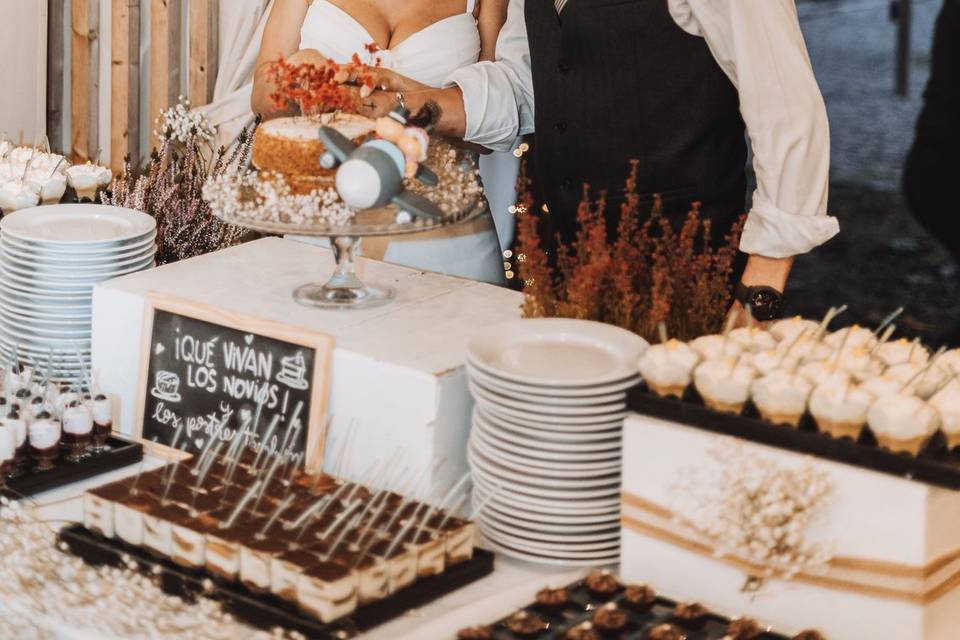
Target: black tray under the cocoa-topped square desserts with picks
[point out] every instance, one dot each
(266, 611)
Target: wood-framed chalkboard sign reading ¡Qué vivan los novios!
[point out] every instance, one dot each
(211, 376)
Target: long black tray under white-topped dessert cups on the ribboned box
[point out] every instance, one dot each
(935, 465)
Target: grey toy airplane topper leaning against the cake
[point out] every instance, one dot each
(371, 175)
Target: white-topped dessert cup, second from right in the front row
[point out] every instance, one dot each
(903, 423)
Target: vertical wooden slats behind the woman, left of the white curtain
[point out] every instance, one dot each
(165, 84)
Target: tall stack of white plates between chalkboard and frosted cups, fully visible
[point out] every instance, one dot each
(545, 449)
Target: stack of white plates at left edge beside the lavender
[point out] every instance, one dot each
(50, 259)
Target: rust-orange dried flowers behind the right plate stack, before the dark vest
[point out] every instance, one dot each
(650, 274)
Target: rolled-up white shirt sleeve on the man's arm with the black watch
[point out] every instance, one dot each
(759, 45)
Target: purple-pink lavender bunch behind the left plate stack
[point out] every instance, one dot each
(169, 187)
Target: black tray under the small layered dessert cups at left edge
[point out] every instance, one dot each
(121, 453)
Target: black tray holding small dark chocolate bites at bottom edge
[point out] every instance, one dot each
(582, 604)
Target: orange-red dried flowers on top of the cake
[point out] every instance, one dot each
(319, 89)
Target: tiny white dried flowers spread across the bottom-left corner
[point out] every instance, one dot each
(44, 591)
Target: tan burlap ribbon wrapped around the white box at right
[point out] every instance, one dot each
(873, 578)
